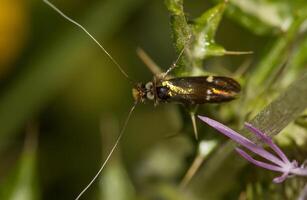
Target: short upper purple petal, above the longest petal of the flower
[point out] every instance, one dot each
(268, 141)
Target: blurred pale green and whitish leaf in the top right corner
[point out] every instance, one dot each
(264, 16)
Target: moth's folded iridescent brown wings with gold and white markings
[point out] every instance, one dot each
(198, 90)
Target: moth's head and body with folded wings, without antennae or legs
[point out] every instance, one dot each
(188, 90)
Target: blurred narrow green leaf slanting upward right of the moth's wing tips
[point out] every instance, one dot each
(268, 70)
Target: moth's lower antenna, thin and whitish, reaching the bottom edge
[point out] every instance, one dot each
(110, 153)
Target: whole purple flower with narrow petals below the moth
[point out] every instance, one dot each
(274, 162)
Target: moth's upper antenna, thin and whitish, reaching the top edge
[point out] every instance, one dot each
(92, 37)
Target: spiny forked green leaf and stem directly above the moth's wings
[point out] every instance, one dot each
(198, 38)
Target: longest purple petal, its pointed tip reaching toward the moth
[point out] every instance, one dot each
(242, 140)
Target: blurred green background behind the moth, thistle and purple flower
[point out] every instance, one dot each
(63, 101)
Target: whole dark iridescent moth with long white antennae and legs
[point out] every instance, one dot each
(163, 88)
